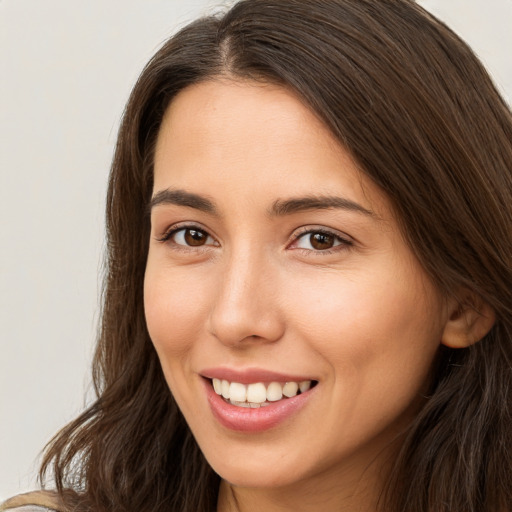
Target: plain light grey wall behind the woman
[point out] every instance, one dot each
(66, 69)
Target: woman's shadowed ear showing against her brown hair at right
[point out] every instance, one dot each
(470, 319)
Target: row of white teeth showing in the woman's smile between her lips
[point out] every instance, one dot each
(259, 394)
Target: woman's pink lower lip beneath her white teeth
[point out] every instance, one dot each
(244, 419)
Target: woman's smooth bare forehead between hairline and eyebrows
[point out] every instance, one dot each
(257, 139)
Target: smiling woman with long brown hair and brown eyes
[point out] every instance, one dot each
(308, 300)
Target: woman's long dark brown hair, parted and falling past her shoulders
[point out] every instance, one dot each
(420, 115)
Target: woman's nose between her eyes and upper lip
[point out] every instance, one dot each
(246, 308)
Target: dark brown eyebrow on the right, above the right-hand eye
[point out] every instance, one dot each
(283, 207)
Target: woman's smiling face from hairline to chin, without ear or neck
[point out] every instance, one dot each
(273, 262)
